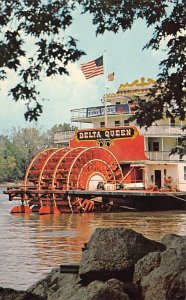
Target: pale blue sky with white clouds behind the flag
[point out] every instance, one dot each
(124, 57)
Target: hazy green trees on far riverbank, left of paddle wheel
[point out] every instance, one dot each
(17, 151)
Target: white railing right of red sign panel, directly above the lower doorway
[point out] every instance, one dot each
(164, 155)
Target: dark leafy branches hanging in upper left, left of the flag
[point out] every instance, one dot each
(43, 22)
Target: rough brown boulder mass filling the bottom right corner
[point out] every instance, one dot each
(162, 275)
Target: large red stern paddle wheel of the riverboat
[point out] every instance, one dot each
(54, 171)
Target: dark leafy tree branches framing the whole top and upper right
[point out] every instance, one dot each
(44, 21)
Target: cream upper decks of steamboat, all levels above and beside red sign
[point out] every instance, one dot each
(115, 110)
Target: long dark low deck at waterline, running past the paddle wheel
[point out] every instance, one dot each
(131, 199)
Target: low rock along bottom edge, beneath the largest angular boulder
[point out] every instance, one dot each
(67, 286)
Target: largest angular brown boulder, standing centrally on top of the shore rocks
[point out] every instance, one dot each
(113, 252)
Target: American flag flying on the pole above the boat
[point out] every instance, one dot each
(93, 68)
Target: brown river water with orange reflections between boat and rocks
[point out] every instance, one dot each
(31, 245)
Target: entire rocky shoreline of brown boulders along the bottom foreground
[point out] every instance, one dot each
(117, 264)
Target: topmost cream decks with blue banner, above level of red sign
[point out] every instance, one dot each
(117, 107)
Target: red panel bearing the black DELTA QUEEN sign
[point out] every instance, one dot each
(124, 142)
